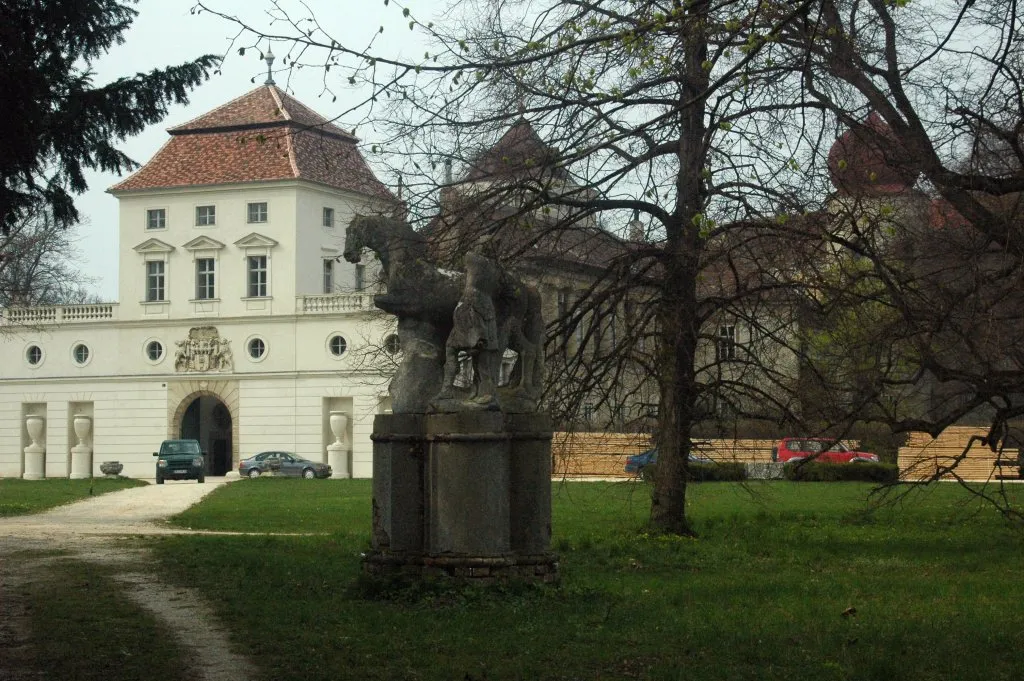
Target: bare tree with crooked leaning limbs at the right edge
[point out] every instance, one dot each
(941, 263)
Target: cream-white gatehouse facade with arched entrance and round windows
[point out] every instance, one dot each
(132, 367)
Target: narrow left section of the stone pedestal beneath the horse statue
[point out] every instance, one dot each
(400, 456)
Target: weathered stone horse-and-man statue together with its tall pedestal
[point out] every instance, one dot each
(462, 476)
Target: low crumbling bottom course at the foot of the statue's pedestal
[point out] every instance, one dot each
(477, 570)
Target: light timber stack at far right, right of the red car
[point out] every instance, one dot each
(924, 456)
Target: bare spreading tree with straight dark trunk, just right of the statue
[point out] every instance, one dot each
(705, 126)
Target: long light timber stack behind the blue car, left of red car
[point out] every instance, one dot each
(605, 454)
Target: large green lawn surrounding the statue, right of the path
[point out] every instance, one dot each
(787, 581)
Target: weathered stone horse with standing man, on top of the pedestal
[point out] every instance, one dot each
(425, 300)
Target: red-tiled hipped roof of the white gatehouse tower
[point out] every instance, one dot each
(263, 136)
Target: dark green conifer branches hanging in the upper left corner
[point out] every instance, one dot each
(58, 122)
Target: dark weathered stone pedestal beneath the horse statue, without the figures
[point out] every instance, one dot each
(464, 495)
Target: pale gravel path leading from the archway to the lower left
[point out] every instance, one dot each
(93, 531)
